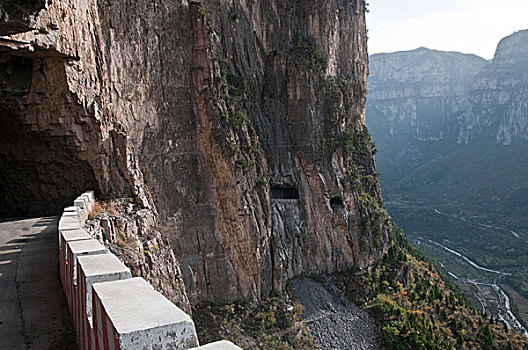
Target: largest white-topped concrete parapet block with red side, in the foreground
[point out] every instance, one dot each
(130, 314)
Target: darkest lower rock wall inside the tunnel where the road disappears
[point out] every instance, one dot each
(37, 170)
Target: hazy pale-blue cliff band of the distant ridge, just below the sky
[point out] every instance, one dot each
(433, 95)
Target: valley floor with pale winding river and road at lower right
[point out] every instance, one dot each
(490, 288)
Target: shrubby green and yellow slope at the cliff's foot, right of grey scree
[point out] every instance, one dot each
(417, 309)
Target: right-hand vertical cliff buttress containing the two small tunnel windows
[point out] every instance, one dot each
(279, 90)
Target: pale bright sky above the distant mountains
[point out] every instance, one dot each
(469, 26)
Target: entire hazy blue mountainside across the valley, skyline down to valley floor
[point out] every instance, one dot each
(451, 133)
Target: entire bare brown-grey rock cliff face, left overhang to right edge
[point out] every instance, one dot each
(238, 124)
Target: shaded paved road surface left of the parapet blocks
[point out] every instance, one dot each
(33, 309)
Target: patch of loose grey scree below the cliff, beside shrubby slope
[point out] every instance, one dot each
(335, 323)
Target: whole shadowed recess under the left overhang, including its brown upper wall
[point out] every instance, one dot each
(43, 164)
